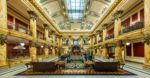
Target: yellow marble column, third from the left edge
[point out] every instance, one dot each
(46, 50)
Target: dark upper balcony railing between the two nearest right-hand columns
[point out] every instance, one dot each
(137, 25)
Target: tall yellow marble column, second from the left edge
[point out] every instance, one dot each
(33, 28)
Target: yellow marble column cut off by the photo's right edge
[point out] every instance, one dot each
(147, 32)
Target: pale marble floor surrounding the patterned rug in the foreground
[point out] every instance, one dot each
(132, 67)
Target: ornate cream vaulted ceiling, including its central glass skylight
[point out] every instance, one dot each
(75, 15)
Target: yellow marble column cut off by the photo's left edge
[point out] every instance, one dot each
(3, 24)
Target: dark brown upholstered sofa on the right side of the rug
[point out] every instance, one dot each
(106, 66)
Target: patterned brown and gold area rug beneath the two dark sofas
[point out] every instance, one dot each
(75, 72)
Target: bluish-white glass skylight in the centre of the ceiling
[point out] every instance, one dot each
(75, 9)
